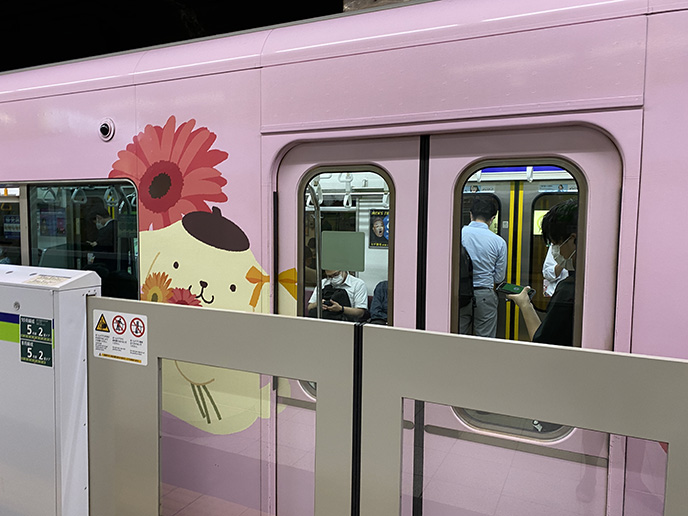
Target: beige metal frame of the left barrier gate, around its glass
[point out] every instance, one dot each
(124, 398)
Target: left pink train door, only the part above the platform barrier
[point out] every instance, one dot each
(362, 195)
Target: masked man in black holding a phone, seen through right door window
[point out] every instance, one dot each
(559, 229)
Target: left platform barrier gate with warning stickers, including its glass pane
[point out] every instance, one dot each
(211, 414)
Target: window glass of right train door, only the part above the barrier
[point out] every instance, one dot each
(512, 201)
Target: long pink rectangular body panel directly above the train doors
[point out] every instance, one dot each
(470, 78)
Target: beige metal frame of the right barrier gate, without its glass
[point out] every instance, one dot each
(604, 391)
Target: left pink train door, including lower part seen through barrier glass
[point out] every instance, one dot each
(343, 208)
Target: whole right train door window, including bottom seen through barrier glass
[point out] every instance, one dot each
(512, 200)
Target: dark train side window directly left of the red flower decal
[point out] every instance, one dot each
(87, 226)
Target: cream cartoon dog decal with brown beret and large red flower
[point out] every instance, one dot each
(193, 255)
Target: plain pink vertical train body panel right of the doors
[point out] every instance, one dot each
(661, 243)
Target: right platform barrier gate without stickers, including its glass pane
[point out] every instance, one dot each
(423, 457)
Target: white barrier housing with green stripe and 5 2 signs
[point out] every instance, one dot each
(43, 391)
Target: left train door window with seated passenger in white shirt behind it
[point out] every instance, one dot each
(347, 236)
